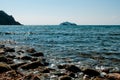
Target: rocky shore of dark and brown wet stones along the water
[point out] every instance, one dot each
(30, 64)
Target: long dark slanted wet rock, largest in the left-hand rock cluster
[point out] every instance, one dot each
(32, 65)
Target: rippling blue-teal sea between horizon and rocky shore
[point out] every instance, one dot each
(85, 45)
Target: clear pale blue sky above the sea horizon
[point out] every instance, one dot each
(53, 12)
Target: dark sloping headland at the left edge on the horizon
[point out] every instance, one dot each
(6, 19)
